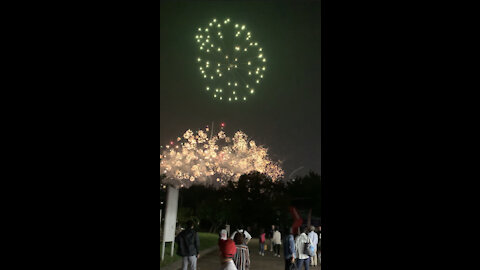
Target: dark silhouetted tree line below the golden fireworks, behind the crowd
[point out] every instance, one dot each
(254, 201)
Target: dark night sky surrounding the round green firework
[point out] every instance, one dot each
(284, 114)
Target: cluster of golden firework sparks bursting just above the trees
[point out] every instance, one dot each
(212, 161)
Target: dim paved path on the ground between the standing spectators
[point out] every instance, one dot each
(210, 259)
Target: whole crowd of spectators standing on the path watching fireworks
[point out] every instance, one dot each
(301, 249)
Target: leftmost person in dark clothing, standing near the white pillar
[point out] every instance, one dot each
(188, 246)
